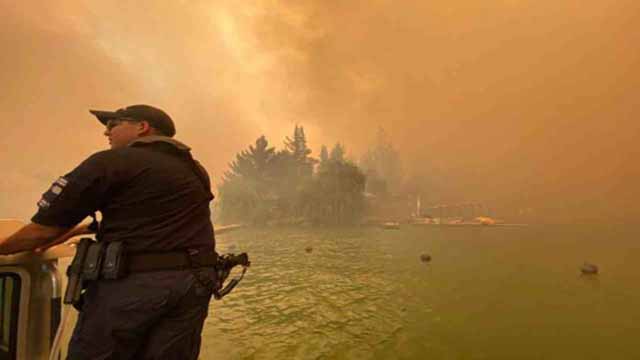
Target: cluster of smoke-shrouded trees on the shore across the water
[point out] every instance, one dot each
(264, 185)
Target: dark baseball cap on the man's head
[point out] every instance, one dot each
(154, 116)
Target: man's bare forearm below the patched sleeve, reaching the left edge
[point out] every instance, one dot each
(30, 237)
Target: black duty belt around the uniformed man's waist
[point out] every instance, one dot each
(177, 260)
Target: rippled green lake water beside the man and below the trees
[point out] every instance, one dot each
(488, 293)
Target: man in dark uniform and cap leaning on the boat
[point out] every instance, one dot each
(154, 198)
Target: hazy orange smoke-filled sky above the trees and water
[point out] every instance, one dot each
(527, 103)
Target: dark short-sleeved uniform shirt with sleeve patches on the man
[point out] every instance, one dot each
(152, 195)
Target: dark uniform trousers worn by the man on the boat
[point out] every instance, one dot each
(155, 315)
